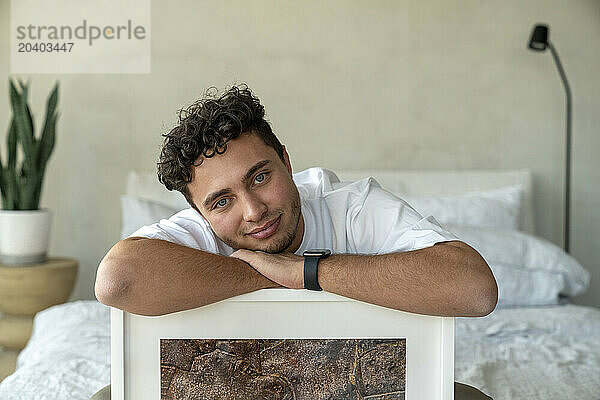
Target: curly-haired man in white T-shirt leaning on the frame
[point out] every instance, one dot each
(251, 221)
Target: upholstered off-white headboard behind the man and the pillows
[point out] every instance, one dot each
(146, 185)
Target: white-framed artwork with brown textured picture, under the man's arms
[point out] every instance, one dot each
(282, 344)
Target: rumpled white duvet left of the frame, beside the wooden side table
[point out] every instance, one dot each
(67, 357)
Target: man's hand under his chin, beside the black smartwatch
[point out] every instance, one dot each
(286, 269)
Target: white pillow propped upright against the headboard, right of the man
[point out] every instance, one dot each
(499, 208)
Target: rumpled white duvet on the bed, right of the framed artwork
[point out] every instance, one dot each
(550, 352)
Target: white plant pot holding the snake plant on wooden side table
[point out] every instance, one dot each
(24, 236)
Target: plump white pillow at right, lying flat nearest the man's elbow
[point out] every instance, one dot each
(529, 270)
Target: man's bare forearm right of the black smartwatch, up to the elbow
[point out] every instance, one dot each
(439, 280)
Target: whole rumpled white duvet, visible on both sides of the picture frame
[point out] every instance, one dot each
(521, 353)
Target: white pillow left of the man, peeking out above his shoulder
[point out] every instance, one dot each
(137, 212)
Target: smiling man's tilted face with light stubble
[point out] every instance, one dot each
(248, 197)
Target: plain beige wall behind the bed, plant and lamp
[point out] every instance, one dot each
(394, 84)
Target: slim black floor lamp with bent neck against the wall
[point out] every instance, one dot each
(539, 42)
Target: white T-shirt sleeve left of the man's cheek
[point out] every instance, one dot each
(184, 229)
